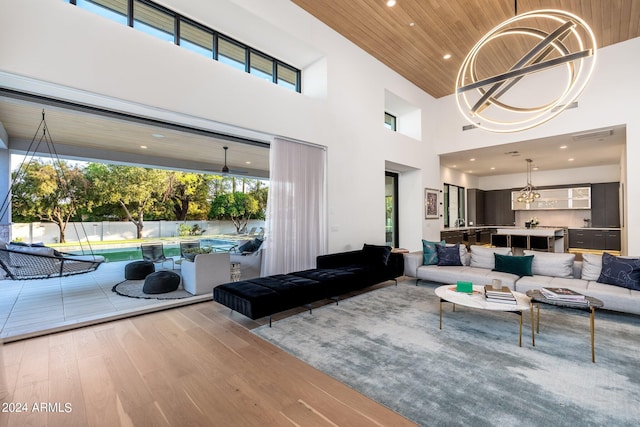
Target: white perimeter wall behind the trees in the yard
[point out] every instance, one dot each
(113, 231)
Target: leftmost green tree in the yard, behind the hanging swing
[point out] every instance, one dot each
(47, 193)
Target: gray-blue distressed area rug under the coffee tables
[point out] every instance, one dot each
(387, 345)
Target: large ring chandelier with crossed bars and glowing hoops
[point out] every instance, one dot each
(552, 70)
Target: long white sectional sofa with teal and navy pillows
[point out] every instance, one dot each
(558, 270)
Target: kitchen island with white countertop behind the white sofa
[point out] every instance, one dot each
(550, 239)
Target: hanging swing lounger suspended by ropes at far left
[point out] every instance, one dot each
(40, 262)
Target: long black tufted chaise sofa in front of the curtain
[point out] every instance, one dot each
(335, 275)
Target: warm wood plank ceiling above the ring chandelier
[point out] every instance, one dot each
(413, 36)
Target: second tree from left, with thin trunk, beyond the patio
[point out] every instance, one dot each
(136, 190)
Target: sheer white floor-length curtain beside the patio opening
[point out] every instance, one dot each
(296, 208)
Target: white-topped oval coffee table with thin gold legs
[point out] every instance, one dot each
(447, 293)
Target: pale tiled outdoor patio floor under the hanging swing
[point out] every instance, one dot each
(30, 308)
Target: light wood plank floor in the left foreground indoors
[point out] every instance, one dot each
(193, 365)
